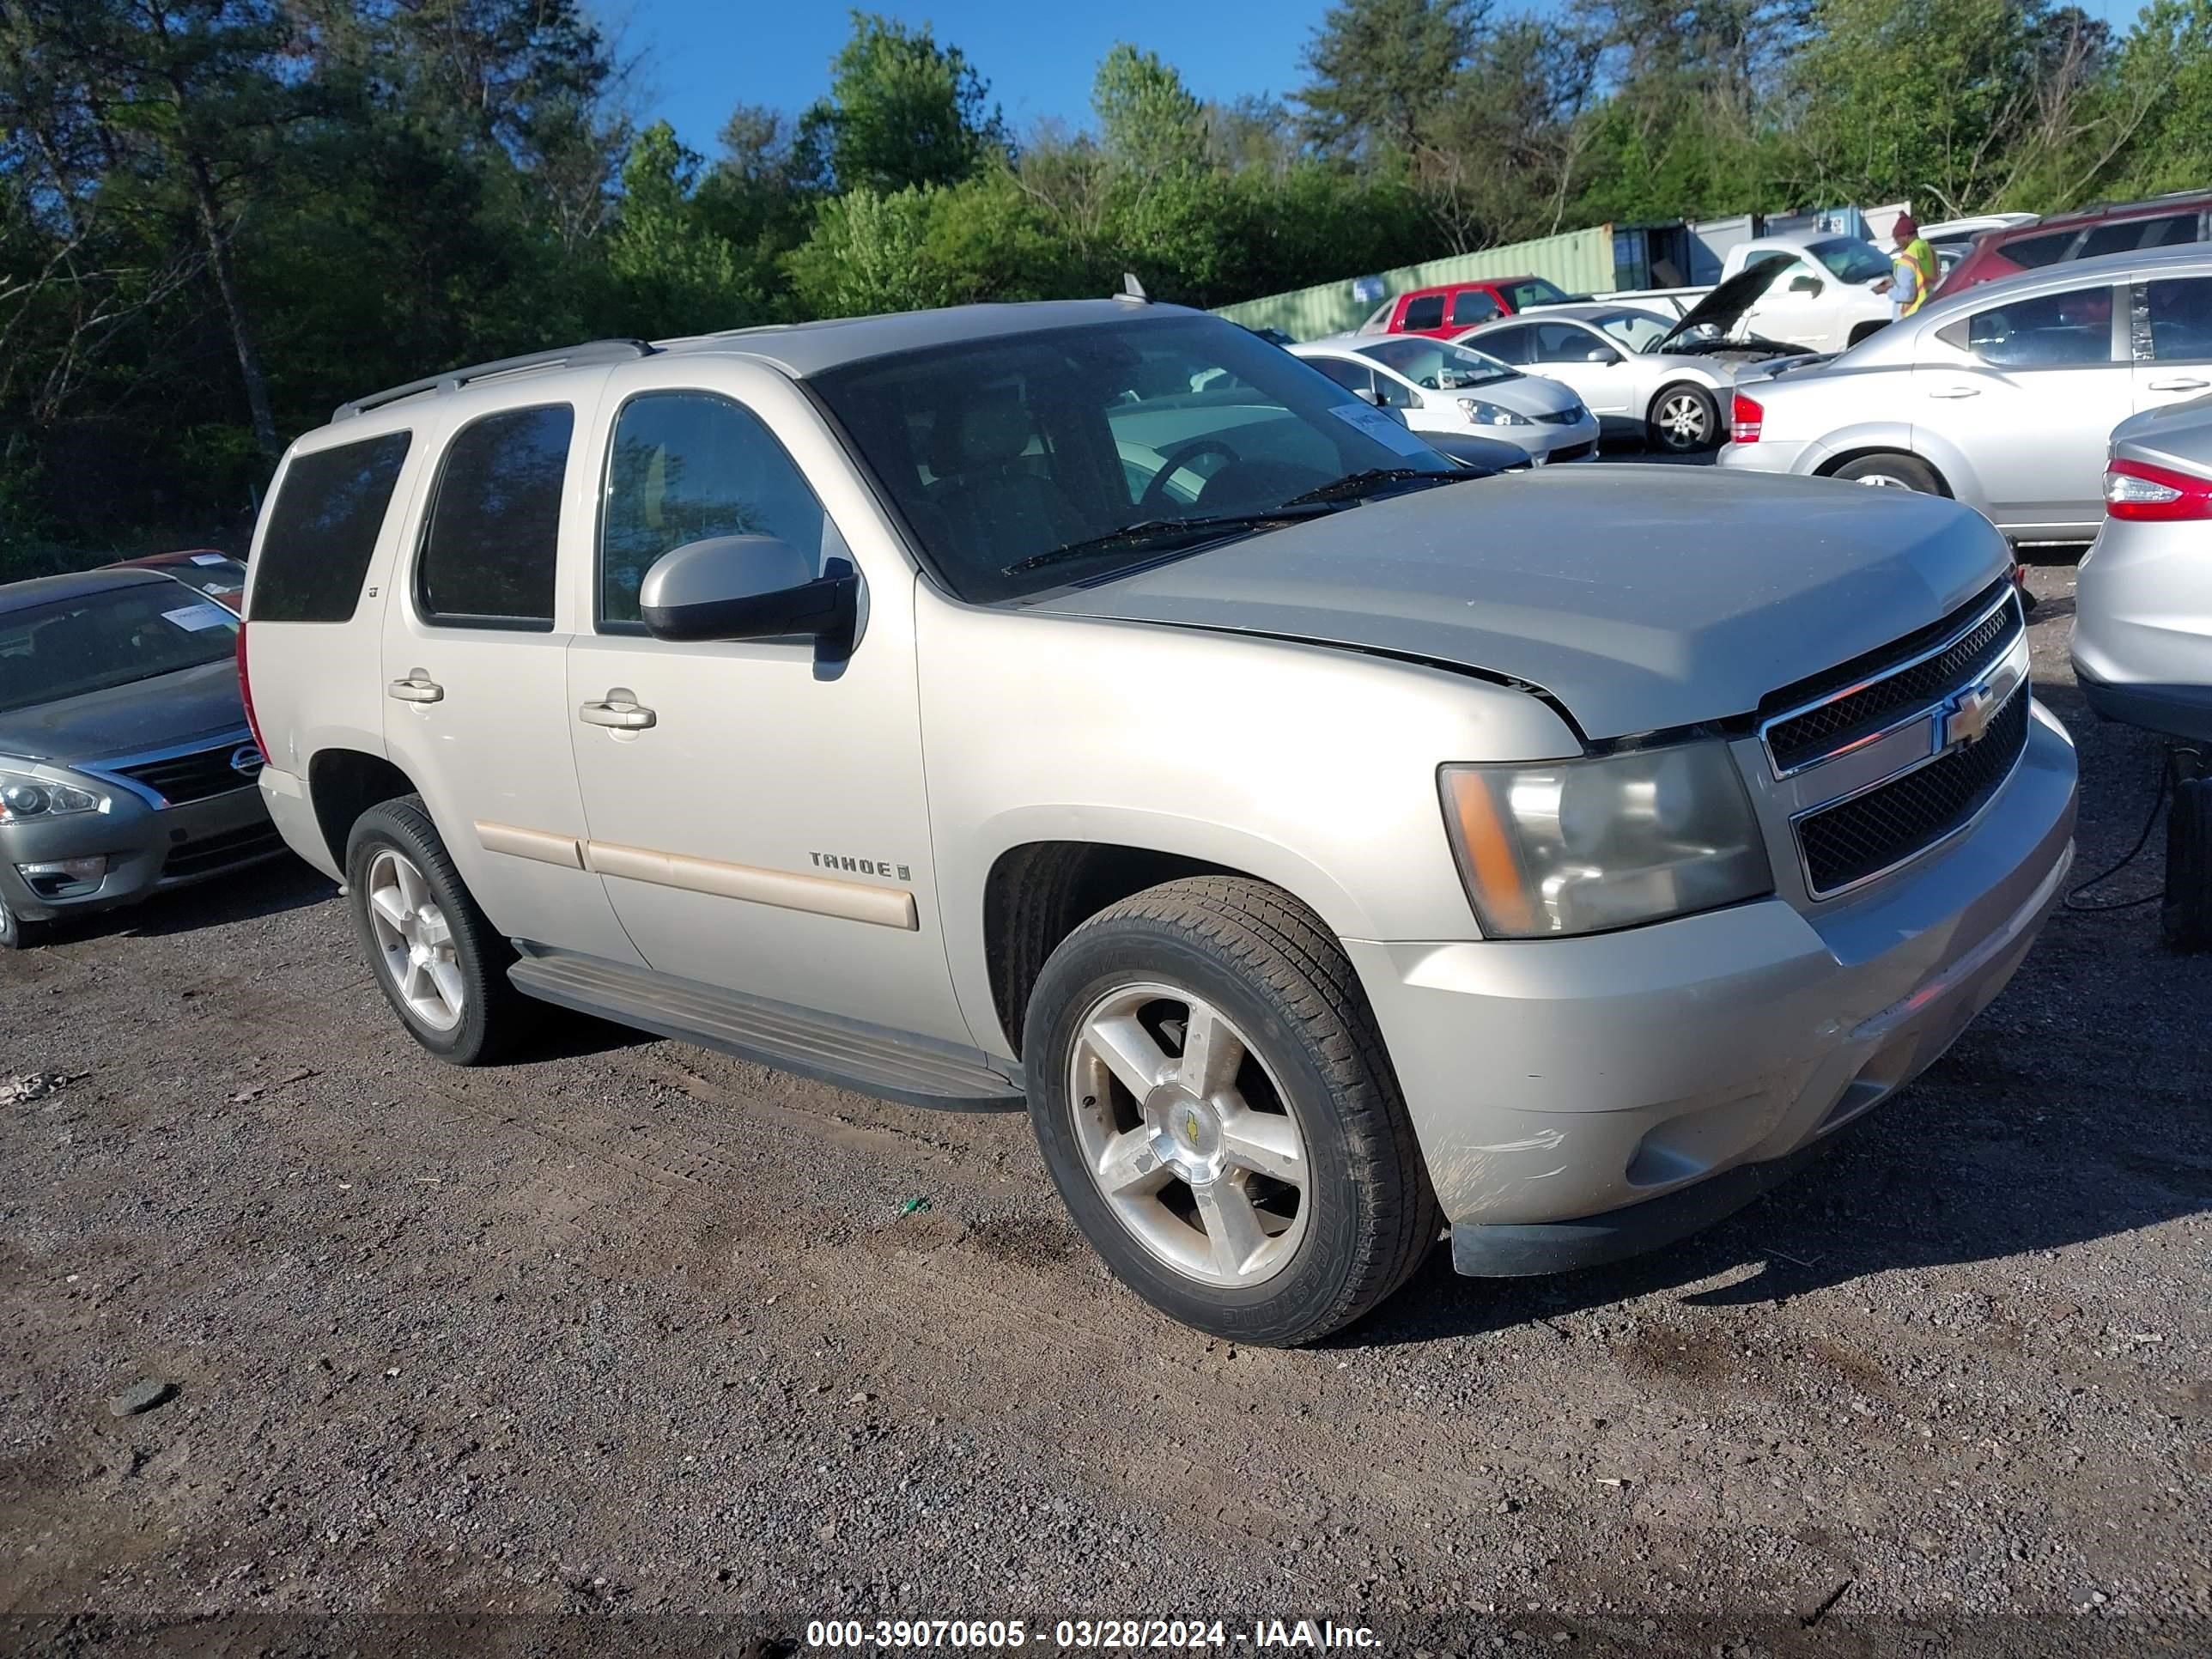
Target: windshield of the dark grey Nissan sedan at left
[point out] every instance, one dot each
(109, 638)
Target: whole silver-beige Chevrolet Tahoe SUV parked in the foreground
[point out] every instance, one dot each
(1096, 709)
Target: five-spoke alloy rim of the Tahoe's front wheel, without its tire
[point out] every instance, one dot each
(1189, 1136)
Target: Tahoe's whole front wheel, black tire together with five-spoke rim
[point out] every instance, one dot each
(1238, 959)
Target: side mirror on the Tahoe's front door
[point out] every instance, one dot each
(751, 587)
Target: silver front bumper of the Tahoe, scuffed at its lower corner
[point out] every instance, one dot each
(1580, 1081)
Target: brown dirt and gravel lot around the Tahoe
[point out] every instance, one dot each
(638, 1333)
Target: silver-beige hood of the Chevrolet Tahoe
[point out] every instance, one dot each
(1638, 598)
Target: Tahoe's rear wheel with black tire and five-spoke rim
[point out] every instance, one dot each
(466, 957)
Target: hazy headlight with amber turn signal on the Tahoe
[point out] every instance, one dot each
(1583, 846)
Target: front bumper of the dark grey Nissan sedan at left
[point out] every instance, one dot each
(149, 851)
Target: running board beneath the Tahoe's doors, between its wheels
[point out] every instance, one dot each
(870, 1061)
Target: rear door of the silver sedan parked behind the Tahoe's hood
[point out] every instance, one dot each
(2027, 390)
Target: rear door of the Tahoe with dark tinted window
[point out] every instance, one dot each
(477, 671)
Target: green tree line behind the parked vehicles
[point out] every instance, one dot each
(220, 218)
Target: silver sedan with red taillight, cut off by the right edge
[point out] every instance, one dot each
(2003, 395)
